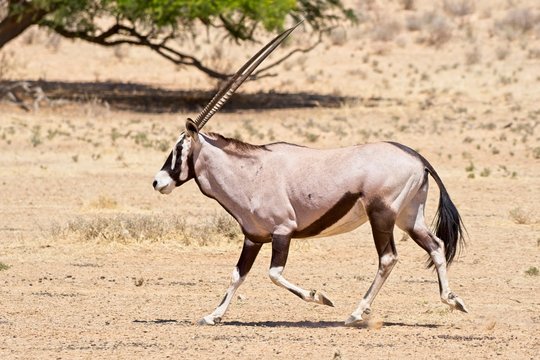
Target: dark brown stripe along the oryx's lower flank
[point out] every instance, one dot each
(332, 216)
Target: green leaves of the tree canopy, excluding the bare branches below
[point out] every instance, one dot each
(239, 18)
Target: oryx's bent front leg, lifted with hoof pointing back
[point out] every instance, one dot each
(280, 252)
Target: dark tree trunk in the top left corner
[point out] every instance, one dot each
(15, 24)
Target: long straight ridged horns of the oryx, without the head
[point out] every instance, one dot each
(238, 78)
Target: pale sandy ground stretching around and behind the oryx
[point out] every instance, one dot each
(63, 297)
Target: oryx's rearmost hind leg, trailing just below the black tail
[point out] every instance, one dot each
(412, 221)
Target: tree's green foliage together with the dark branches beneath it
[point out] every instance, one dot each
(156, 23)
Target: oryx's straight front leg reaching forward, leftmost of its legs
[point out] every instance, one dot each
(250, 250)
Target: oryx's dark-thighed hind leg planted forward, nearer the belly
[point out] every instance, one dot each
(382, 225)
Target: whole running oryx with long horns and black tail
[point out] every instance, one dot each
(281, 191)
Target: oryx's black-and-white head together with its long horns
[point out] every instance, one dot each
(179, 167)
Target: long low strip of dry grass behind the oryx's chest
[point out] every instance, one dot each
(129, 229)
